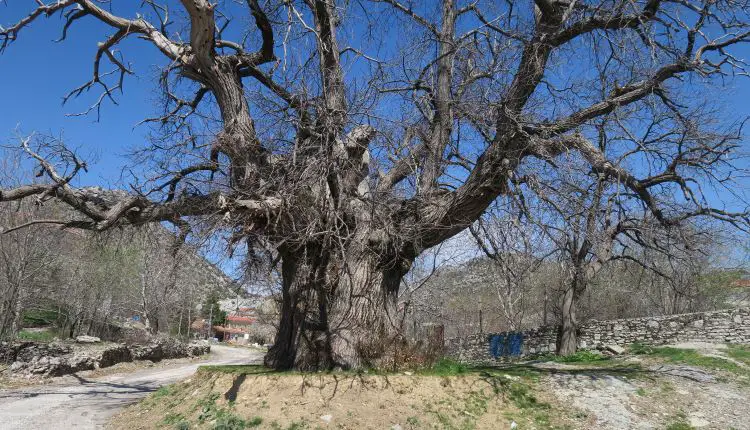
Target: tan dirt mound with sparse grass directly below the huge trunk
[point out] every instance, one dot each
(344, 401)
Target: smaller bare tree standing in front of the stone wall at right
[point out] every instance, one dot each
(592, 220)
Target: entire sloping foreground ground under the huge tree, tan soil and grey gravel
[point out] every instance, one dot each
(646, 391)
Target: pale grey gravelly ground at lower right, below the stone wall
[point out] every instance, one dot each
(660, 395)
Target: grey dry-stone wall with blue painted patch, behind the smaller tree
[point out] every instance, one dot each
(728, 326)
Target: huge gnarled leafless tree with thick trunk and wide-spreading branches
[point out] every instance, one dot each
(351, 136)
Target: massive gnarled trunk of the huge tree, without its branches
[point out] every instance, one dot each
(335, 313)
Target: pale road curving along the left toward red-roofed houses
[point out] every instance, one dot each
(89, 403)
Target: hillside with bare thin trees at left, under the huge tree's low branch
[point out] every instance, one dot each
(79, 282)
